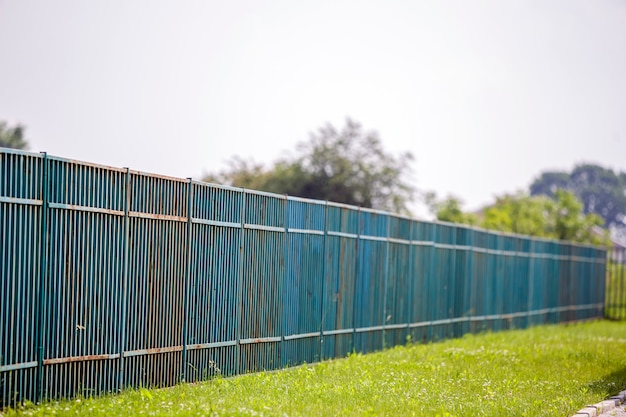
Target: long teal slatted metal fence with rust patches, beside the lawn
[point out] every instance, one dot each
(112, 278)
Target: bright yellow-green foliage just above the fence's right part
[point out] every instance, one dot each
(562, 218)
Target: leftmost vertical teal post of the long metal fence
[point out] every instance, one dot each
(43, 275)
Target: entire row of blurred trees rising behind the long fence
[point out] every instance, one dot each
(349, 165)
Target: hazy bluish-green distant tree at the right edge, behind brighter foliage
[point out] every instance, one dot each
(601, 190)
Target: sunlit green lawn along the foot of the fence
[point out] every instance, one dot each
(543, 371)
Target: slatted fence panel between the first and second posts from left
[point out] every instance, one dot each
(81, 309)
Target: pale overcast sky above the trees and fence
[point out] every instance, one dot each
(485, 94)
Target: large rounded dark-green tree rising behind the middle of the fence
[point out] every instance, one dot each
(347, 166)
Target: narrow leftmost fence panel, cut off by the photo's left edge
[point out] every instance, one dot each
(21, 210)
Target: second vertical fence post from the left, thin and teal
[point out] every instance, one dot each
(123, 298)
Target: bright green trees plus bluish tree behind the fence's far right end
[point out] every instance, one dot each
(581, 206)
